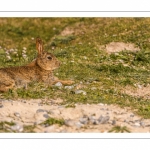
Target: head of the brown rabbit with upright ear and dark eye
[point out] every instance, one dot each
(45, 60)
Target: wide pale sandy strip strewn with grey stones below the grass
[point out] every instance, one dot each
(98, 118)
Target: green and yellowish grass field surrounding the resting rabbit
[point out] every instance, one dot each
(82, 59)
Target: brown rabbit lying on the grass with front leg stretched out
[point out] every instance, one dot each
(40, 69)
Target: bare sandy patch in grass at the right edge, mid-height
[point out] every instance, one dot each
(140, 91)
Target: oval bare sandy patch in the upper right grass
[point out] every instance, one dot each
(119, 46)
